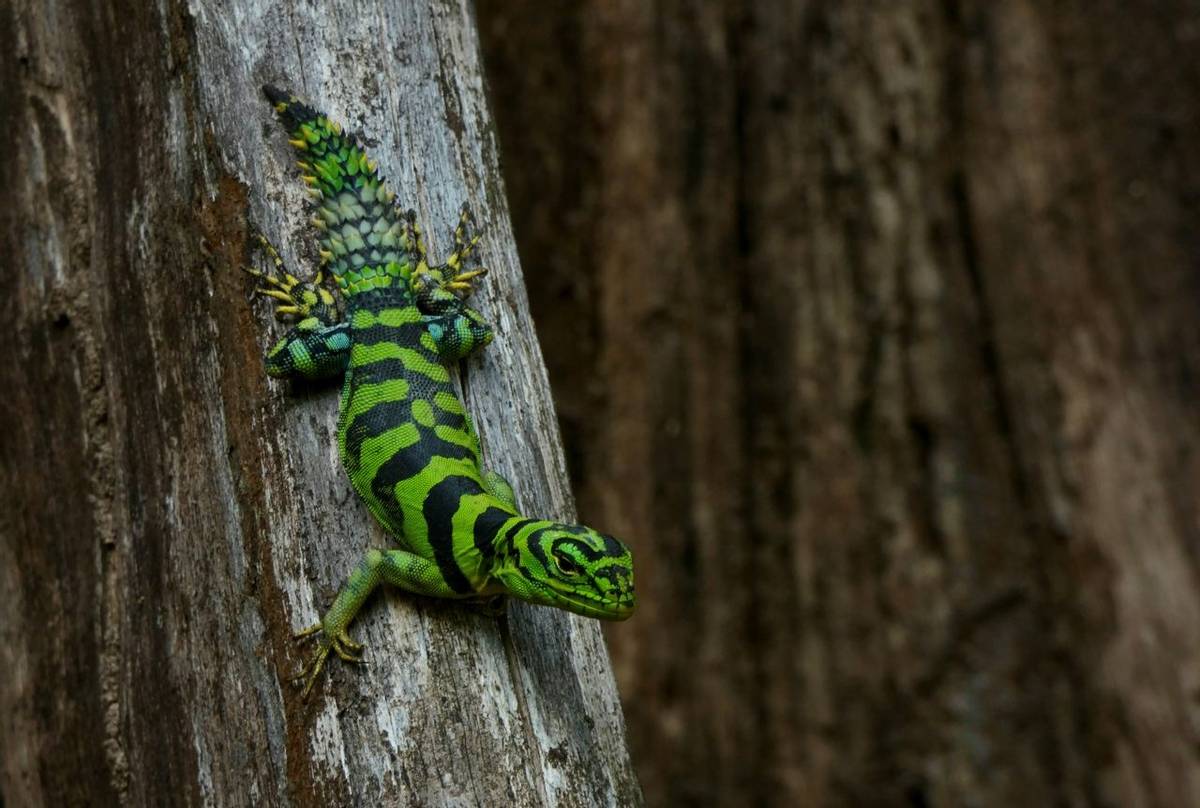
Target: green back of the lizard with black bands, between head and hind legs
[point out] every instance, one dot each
(407, 442)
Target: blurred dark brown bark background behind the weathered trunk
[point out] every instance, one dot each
(874, 327)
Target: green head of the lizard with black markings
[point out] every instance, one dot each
(571, 567)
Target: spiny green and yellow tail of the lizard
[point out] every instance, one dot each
(364, 240)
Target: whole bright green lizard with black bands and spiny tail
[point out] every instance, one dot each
(404, 436)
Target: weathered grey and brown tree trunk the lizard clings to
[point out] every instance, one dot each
(173, 516)
